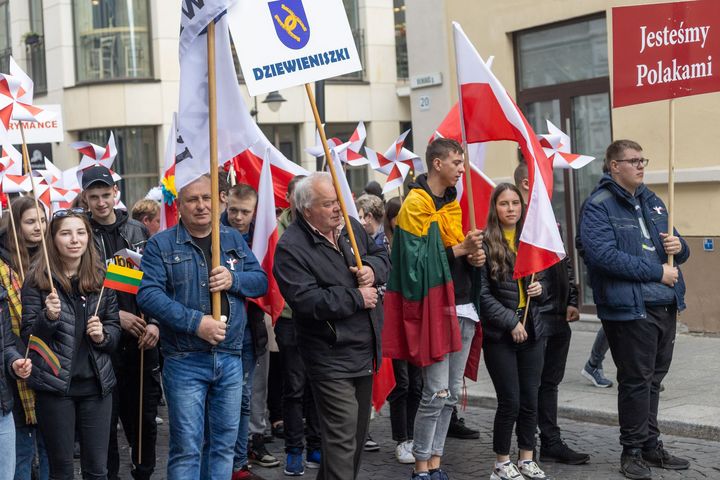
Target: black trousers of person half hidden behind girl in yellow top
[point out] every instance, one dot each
(556, 351)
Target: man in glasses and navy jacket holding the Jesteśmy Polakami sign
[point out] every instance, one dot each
(624, 240)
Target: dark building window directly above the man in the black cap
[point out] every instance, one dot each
(136, 161)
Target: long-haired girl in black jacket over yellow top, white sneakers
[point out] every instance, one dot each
(513, 350)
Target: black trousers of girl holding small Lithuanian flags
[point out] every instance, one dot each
(57, 418)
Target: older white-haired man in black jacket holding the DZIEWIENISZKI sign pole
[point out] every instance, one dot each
(338, 318)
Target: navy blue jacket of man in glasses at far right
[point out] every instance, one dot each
(610, 242)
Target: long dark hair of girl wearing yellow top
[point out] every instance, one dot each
(501, 259)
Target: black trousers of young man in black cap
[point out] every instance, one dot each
(126, 405)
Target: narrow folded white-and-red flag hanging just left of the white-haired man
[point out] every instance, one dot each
(265, 240)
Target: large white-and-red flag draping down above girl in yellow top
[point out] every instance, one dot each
(489, 114)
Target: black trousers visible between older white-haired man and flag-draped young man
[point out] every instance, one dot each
(404, 399)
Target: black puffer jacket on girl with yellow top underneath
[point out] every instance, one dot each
(498, 303)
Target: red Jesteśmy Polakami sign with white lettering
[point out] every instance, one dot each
(663, 51)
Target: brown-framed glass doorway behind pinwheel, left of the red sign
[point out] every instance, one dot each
(563, 77)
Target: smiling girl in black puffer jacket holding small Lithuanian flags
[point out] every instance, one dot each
(64, 319)
